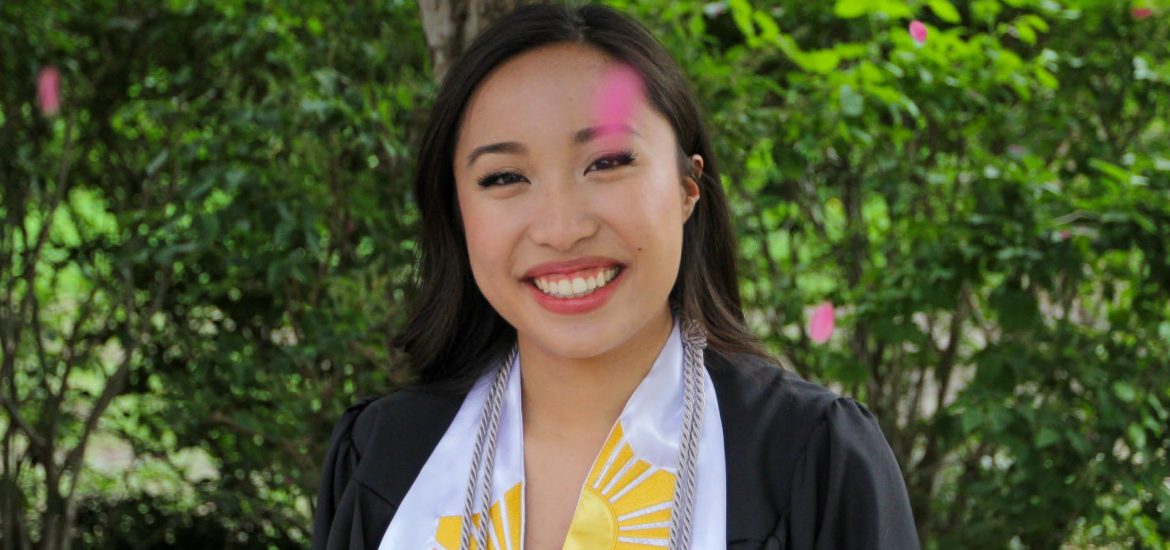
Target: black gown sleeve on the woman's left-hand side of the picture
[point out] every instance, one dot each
(348, 515)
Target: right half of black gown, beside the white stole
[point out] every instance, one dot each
(806, 457)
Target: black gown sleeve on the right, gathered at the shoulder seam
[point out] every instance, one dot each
(849, 492)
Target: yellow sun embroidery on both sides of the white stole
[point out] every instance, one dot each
(624, 506)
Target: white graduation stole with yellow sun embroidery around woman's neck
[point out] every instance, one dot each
(627, 499)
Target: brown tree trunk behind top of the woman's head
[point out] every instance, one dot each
(451, 25)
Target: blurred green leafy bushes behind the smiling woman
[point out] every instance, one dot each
(958, 212)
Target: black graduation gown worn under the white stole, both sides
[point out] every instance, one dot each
(807, 470)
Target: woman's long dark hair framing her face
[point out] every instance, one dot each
(453, 334)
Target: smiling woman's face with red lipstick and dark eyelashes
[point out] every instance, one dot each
(556, 195)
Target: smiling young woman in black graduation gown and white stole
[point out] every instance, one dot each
(586, 379)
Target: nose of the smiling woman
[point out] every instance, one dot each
(562, 216)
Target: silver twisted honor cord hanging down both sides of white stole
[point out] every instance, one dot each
(683, 508)
